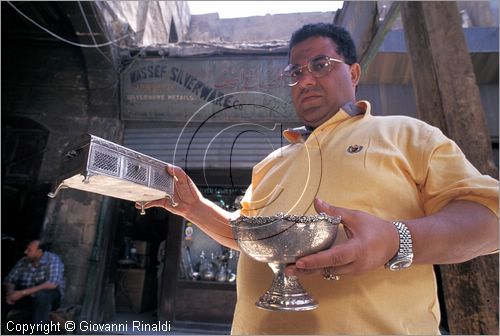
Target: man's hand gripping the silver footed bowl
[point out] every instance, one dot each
(371, 243)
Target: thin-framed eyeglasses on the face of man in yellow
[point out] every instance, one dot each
(318, 66)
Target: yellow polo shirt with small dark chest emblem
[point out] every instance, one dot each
(394, 167)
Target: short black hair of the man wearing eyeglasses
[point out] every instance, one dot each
(341, 37)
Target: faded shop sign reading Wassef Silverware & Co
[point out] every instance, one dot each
(216, 89)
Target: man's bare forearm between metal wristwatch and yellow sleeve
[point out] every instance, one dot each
(459, 232)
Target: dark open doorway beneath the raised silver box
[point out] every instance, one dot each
(138, 258)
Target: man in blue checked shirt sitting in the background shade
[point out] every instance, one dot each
(36, 283)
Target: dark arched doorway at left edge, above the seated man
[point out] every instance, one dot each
(23, 199)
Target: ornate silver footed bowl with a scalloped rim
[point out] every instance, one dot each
(280, 240)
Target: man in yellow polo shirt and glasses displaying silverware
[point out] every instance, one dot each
(407, 196)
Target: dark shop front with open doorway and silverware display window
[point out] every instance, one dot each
(165, 261)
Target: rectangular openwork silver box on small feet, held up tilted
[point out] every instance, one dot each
(100, 166)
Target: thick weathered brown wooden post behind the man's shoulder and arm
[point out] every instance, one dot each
(447, 97)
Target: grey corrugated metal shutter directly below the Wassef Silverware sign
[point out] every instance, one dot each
(206, 146)
